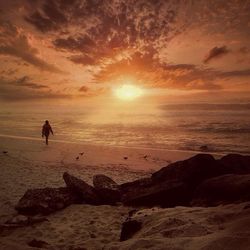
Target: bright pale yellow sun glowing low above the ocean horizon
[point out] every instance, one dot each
(128, 92)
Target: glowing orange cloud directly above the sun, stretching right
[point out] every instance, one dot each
(147, 70)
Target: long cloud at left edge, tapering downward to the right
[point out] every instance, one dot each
(15, 43)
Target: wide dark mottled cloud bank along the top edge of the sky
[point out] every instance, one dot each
(105, 17)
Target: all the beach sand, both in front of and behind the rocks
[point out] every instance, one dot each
(31, 164)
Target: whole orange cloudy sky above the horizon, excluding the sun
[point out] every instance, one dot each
(77, 50)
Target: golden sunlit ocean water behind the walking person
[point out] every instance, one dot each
(221, 128)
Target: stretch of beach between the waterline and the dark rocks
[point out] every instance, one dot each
(32, 164)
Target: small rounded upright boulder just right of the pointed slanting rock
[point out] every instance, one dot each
(107, 189)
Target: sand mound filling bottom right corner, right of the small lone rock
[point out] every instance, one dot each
(223, 227)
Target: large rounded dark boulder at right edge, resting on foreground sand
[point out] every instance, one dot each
(222, 190)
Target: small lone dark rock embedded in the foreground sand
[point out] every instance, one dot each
(129, 228)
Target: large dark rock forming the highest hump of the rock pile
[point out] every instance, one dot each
(191, 171)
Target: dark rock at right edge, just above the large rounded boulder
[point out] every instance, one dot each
(235, 164)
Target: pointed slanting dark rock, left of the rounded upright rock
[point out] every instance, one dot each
(87, 193)
